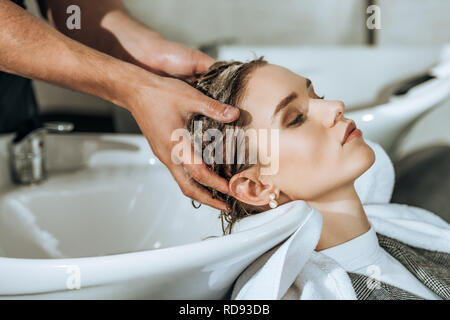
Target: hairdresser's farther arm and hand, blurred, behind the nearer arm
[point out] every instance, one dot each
(110, 29)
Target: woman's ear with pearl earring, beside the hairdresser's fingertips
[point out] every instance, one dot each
(247, 187)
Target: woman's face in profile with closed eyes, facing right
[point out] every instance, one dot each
(312, 159)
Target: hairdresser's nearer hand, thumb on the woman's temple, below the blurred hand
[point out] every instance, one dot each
(160, 106)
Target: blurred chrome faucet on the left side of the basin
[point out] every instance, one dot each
(27, 154)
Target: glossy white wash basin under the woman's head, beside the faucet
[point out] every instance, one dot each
(111, 223)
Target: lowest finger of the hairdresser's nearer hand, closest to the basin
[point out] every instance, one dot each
(194, 191)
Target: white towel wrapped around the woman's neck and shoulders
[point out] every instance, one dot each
(293, 270)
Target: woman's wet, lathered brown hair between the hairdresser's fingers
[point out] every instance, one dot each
(226, 82)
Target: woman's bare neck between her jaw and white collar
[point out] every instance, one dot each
(343, 217)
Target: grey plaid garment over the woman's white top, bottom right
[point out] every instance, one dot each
(432, 268)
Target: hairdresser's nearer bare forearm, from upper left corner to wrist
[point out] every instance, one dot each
(31, 48)
